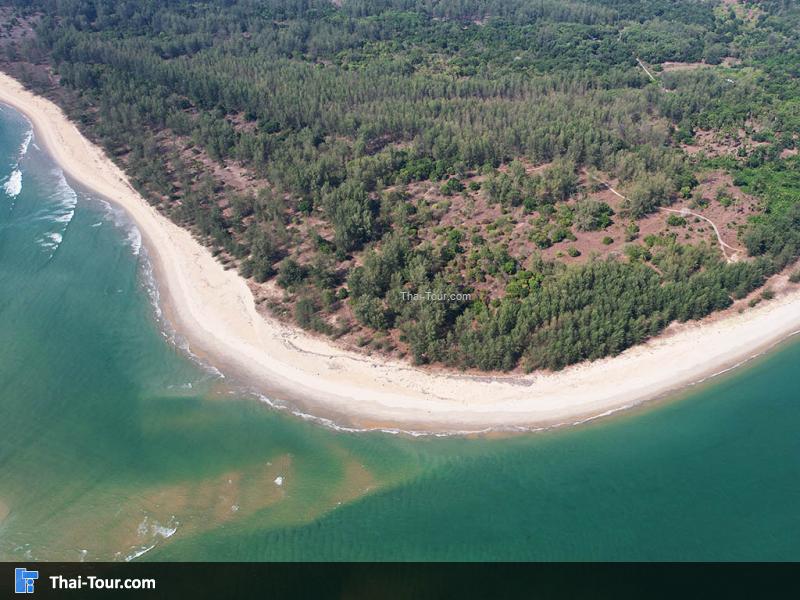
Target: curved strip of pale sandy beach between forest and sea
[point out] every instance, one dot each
(215, 311)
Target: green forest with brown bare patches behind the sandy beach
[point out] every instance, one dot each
(346, 155)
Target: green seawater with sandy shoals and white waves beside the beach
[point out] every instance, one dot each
(116, 444)
